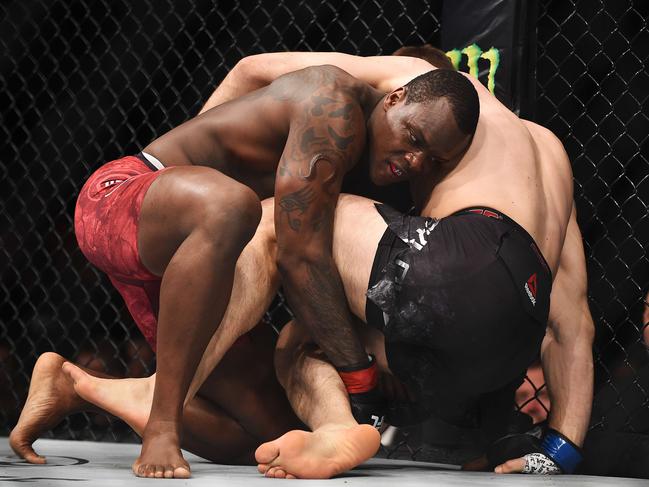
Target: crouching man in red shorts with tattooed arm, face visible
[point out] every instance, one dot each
(168, 225)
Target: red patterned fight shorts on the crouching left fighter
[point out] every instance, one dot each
(106, 223)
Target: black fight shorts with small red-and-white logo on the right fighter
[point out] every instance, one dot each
(463, 303)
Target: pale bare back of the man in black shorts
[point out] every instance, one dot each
(516, 167)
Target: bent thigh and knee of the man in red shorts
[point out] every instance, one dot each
(186, 198)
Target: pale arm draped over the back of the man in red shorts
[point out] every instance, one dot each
(385, 73)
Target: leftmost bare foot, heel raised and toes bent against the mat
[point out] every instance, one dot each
(51, 397)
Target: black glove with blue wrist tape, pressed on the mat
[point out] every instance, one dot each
(548, 453)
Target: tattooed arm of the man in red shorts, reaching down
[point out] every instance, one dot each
(326, 137)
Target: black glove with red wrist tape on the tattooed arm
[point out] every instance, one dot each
(368, 404)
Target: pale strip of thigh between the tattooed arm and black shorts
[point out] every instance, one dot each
(358, 228)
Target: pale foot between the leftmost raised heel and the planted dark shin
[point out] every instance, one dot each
(128, 399)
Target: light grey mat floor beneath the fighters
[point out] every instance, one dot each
(108, 464)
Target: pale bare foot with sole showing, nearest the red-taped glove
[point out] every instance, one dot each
(318, 455)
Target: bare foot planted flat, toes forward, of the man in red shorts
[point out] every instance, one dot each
(161, 456)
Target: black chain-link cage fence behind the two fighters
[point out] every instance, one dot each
(86, 82)
